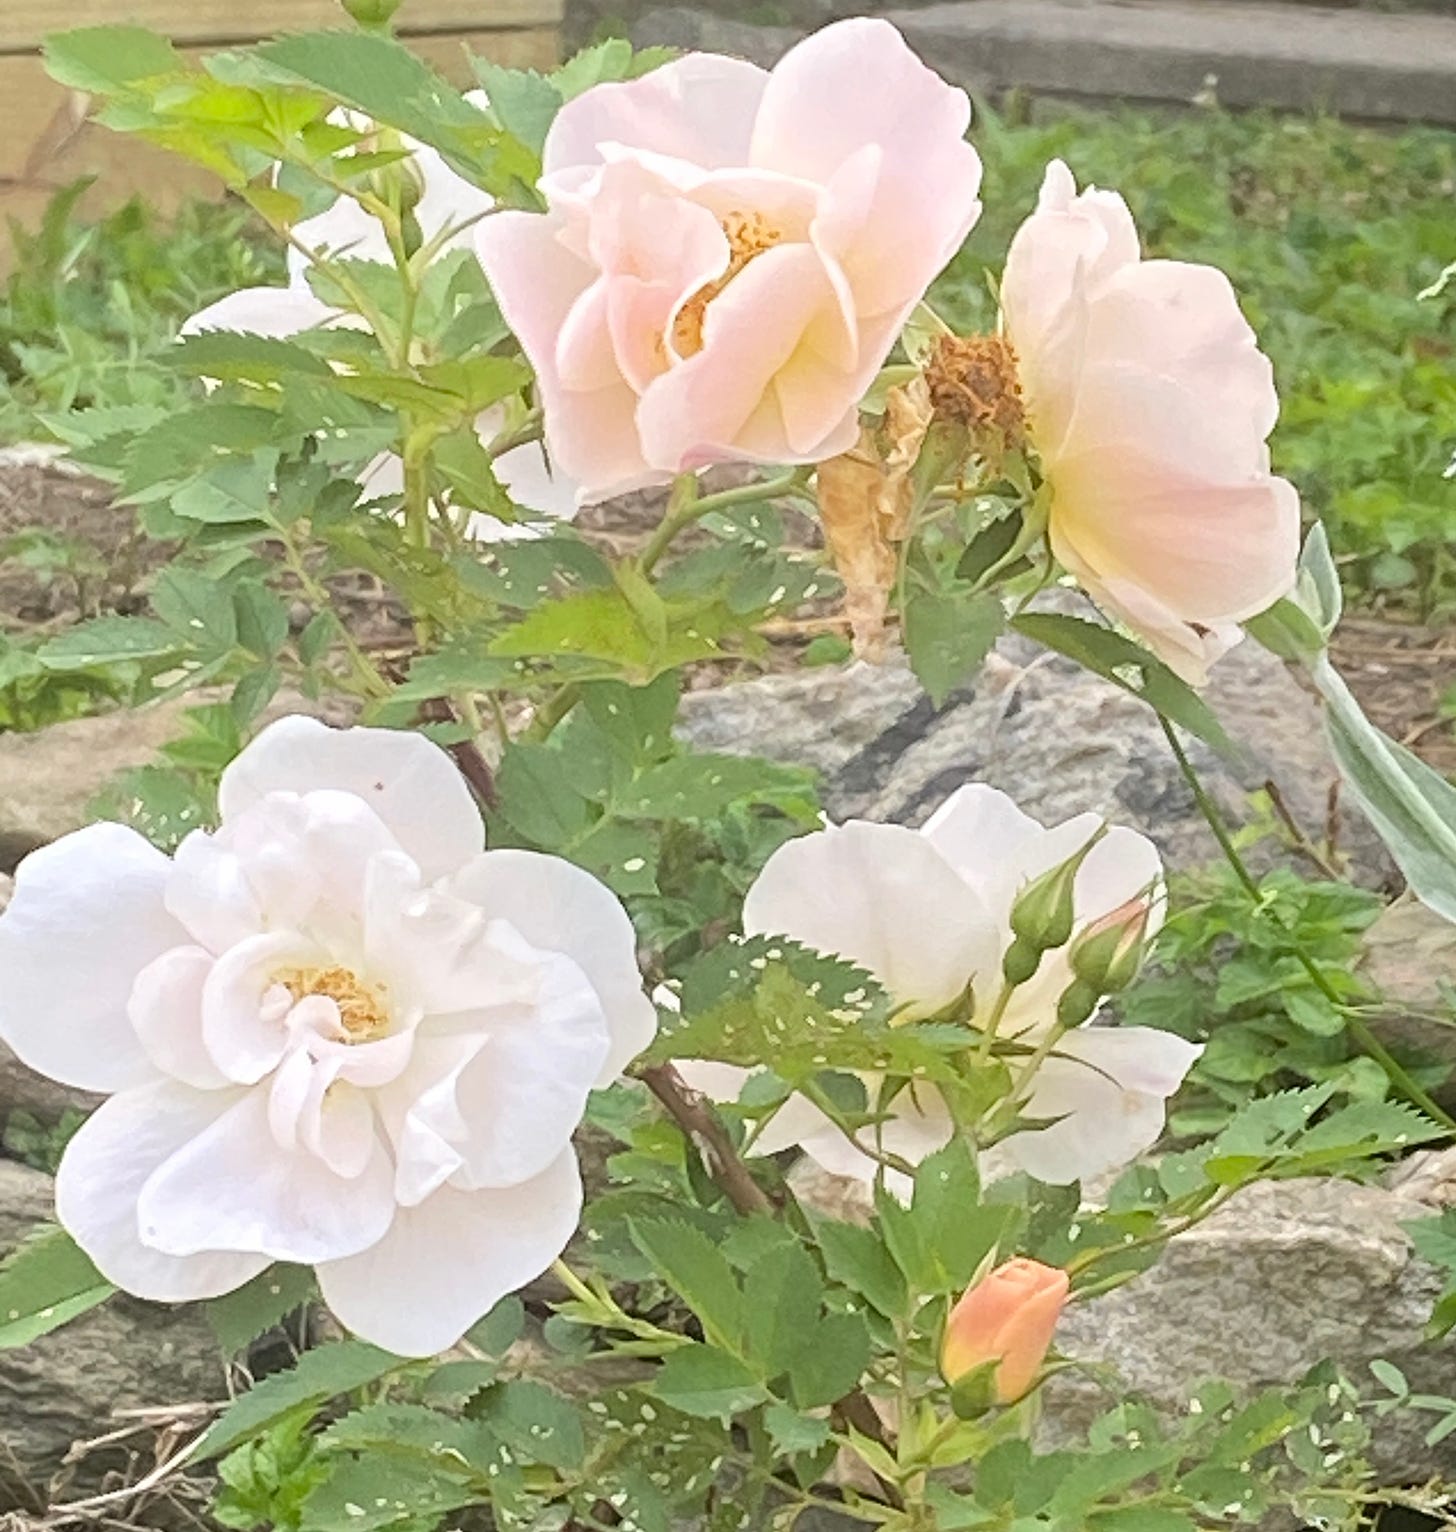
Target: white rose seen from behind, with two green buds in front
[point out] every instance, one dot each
(928, 914)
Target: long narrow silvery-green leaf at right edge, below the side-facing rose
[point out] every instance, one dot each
(1412, 807)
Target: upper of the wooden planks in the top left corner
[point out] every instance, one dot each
(25, 24)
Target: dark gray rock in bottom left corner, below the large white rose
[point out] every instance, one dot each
(68, 1387)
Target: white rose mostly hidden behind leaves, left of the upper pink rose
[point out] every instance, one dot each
(347, 232)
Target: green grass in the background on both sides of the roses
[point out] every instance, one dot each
(1328, 231)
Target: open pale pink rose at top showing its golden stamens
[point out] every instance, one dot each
(729, 255)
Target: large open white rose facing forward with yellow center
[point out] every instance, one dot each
(335, 1032)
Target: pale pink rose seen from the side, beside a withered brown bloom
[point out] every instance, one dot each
(1150, 405)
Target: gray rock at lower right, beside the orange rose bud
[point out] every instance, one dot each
(1288, 1275)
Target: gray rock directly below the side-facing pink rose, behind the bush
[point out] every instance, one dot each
(1055, 738)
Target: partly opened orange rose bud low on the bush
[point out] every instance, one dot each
(1006, 1318)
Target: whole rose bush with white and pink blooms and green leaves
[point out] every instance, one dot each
(338, 1033)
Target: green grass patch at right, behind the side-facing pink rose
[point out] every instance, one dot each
(1330, 232)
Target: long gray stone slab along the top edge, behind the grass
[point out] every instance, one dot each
(1299, 57)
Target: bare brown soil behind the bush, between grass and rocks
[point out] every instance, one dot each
(1403, 672)
